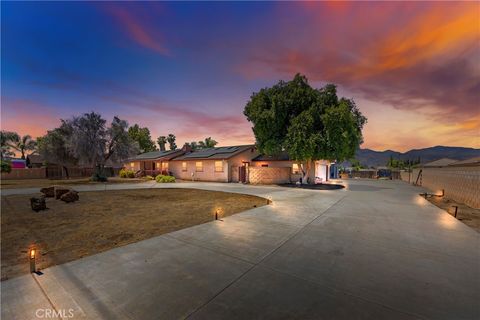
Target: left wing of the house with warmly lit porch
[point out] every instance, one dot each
(155, 162)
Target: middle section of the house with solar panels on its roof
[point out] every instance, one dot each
(222, 164)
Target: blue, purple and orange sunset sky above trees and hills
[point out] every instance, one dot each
(189, 68)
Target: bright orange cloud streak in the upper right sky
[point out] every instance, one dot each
(425, 37)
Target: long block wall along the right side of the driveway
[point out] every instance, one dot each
(461, 184)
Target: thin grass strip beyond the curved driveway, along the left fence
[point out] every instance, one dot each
(40, 183)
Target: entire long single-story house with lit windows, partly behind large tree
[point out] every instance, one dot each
(227, 164)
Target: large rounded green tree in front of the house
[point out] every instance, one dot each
(309, 124)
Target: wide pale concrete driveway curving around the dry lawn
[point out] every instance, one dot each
(375, 250)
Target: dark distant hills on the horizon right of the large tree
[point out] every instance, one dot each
(372, 158)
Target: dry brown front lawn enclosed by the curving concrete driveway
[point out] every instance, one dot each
(102, 220)
